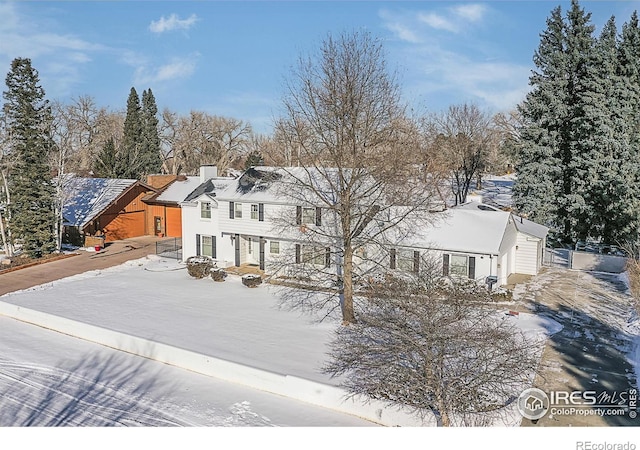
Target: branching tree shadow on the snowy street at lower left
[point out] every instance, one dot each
(92, 390)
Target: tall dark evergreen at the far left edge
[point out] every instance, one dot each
(28, 114)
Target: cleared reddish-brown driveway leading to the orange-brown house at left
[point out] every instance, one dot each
(114, 254)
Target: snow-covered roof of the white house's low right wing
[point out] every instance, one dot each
(468, 230)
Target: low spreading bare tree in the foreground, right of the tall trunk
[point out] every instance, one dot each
(434, 348)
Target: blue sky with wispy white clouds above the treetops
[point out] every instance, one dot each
(231, 58)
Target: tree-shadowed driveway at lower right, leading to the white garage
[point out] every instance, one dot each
(590, 353)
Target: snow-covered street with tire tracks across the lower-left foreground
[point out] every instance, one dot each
(50, 379)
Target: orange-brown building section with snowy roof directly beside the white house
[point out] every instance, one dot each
(164, 216)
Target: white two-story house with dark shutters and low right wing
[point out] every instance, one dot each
(235, 223)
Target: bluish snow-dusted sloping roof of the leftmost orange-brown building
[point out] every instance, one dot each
(85, 198)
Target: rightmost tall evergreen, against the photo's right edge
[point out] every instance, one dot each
(612, 174)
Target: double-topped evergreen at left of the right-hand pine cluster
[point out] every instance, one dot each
(557, 145)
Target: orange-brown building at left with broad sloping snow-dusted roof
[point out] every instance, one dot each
(104, 206)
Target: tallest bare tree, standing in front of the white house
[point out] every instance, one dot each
(345, 126)
